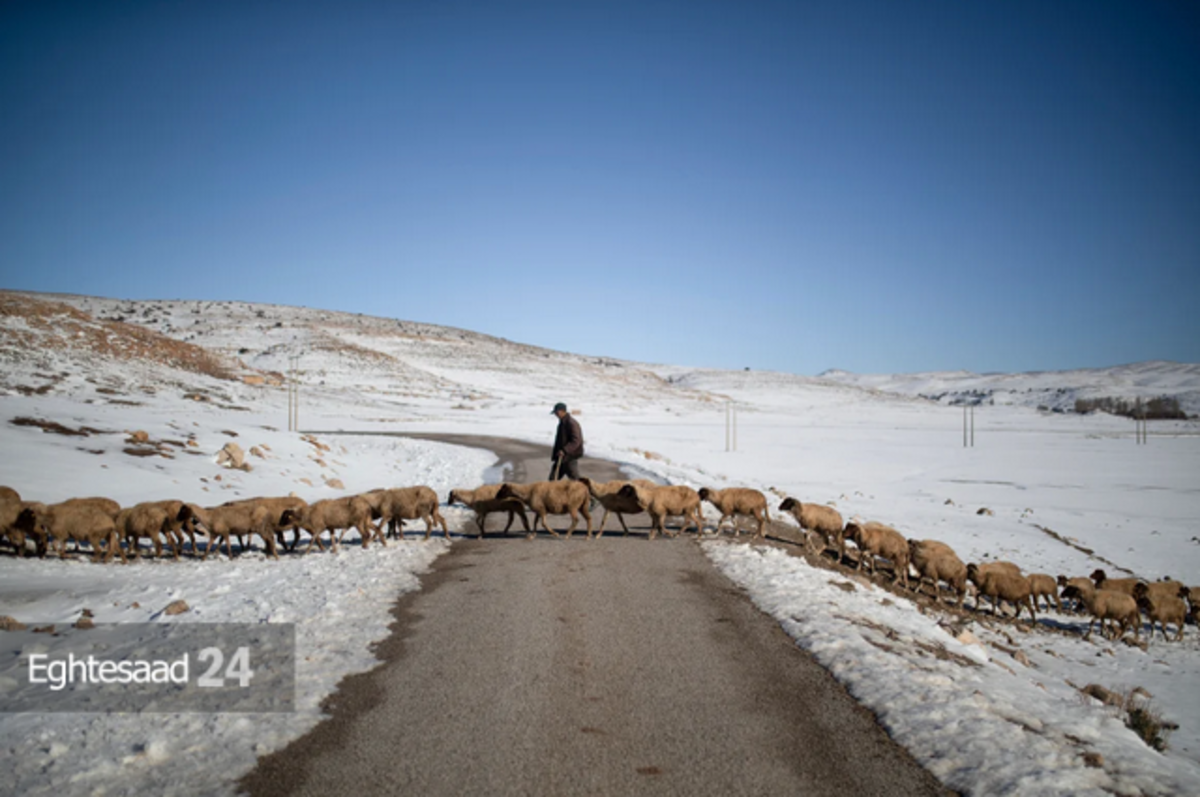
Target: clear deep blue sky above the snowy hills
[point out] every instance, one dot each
(796, 187)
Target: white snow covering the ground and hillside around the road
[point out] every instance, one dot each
(1069, 494)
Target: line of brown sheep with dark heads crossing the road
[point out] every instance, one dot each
(110, 530)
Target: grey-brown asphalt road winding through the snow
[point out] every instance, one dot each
(567, 667)
